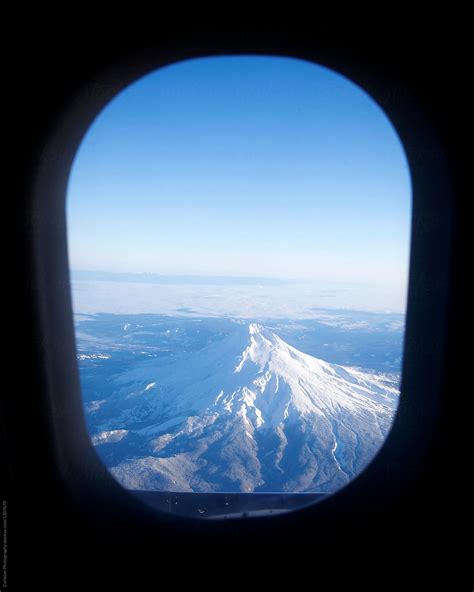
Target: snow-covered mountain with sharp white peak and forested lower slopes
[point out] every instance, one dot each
(249, 413)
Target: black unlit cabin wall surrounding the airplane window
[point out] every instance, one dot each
(58, 538)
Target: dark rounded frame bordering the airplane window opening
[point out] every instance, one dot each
(426, 317)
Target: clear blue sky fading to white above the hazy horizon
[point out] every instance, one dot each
(243, 166)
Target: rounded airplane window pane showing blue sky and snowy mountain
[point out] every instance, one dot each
(238, 234)
